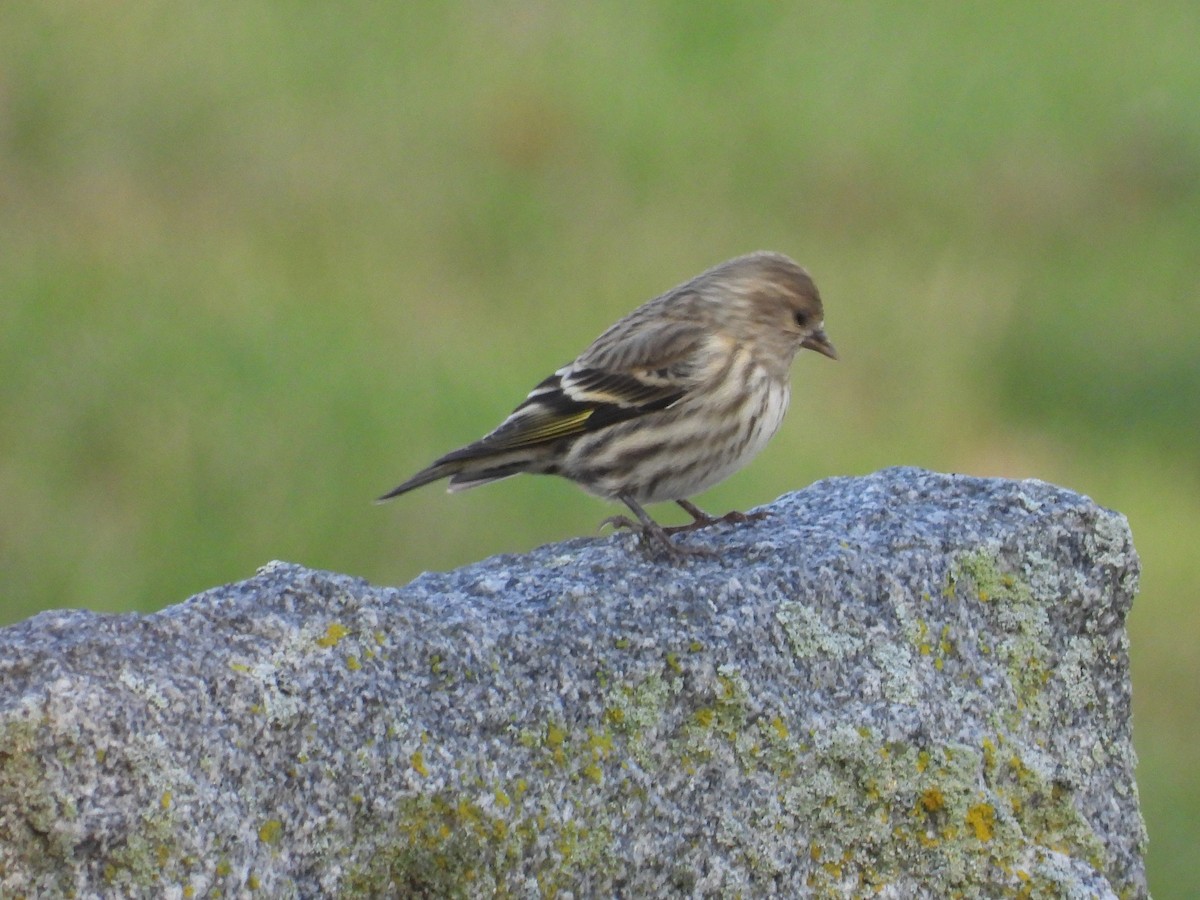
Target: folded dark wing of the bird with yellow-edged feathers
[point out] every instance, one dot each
(589, 395)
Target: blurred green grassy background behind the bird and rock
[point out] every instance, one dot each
(262, 261)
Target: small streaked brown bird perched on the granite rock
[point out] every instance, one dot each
(674, 399)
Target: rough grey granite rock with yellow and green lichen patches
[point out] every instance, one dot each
(901, 686)
